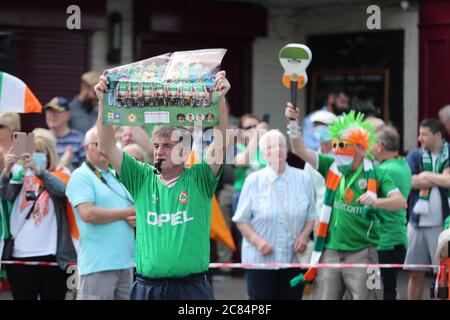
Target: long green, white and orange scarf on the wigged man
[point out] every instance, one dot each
(332, 182)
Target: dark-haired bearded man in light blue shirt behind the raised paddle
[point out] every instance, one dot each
(337, 103)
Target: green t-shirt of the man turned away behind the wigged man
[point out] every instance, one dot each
(393, 227)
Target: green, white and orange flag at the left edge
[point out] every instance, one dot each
(15, 96)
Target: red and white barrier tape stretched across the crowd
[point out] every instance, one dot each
(264, 265)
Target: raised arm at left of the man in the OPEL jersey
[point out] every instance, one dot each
(106, 142)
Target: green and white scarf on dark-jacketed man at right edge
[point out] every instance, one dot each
(442, 161)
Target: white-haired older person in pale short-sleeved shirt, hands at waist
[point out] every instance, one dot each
(275, 214)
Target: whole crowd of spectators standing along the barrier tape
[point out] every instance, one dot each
(122, 203)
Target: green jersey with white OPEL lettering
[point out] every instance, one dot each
(172, 224)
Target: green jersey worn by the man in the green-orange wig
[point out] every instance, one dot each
(348, 229)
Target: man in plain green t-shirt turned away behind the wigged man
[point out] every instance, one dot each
(393, 236)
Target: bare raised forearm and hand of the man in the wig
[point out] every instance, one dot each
(298, 147)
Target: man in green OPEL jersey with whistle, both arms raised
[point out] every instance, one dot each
(173, 209)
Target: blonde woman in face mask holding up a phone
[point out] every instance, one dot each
(38, 221)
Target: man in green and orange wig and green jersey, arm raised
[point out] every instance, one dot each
(347, 232)
